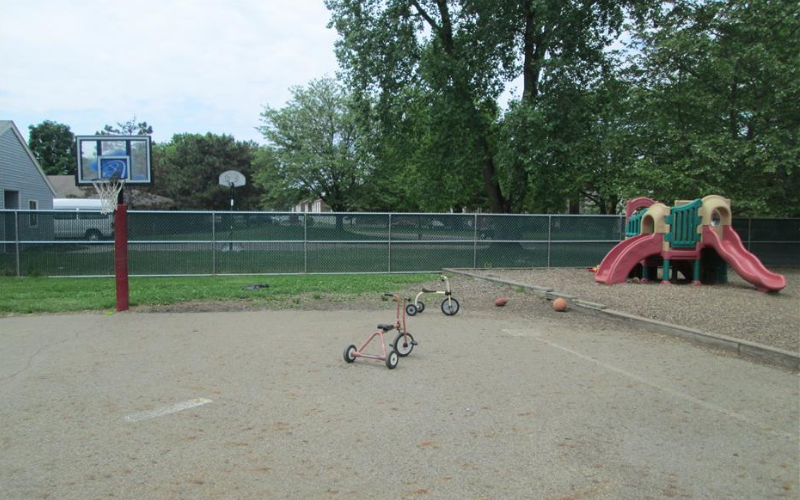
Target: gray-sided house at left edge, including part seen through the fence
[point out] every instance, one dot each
(23, 186)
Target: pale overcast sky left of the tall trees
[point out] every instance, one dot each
(181, 65)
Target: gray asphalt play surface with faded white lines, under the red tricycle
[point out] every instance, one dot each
(260, 404)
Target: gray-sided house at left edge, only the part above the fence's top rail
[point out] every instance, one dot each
(23, 183)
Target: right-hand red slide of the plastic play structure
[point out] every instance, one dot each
(747, 265)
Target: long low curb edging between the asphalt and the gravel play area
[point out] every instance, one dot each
(741, 347)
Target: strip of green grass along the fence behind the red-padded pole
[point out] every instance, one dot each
(39, 295)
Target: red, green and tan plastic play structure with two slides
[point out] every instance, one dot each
(693, 237)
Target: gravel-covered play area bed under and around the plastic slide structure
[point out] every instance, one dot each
(736, 309)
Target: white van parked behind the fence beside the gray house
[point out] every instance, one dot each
(84, 219)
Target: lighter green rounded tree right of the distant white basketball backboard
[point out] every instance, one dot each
(313, 148)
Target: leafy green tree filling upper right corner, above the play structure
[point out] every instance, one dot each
(716, 104)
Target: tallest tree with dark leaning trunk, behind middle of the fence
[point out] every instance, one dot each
(449, 61)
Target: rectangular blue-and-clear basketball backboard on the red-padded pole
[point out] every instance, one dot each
(103, 157)
